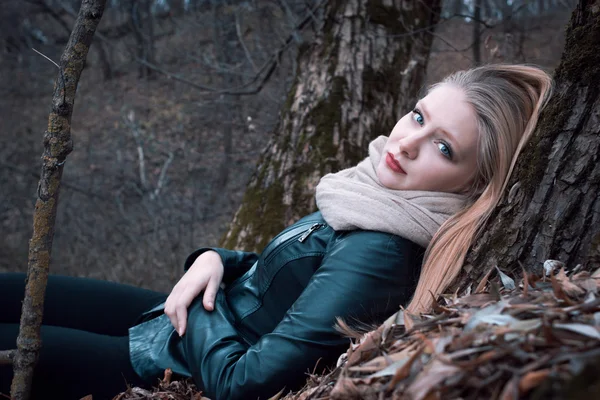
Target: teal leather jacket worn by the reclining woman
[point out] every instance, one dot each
(275, 320)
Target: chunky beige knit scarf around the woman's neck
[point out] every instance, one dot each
(354, 199)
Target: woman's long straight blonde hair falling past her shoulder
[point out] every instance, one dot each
(507, 100)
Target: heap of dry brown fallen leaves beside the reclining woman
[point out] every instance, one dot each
(502, 344)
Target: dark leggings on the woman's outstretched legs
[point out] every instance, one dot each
(85, 343)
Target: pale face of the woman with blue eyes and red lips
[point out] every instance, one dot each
(433, 147)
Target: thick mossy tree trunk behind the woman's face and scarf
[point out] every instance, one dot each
(362, 72)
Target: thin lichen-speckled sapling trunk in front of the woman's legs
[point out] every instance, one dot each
(57, 145)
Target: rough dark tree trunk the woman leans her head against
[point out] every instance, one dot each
(552, 210)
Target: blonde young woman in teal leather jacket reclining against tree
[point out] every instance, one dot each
(426, 189)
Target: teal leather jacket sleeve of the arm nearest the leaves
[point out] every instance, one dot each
(360, 276)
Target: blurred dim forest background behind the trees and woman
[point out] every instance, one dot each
(176, 103)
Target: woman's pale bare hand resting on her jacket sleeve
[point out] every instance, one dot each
(206, 273)
